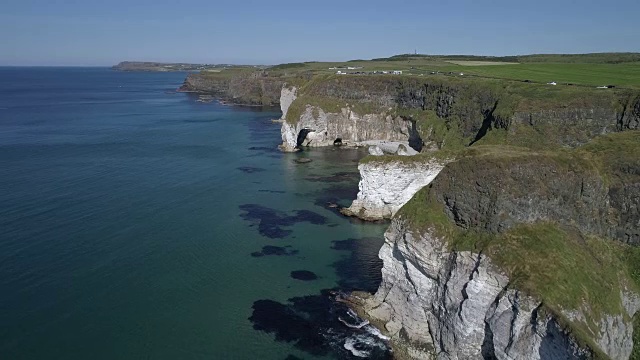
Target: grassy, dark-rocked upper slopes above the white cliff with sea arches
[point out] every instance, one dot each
(453, 112)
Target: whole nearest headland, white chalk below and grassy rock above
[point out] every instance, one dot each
(512, 254)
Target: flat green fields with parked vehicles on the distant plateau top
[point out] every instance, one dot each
(591, 70)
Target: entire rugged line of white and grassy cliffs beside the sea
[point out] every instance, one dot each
(515, 208)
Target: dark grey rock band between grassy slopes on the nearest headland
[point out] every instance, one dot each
(495, 193)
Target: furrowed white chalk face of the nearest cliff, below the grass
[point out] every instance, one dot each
(457, 305)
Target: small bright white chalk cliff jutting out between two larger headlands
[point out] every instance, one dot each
(386, 185)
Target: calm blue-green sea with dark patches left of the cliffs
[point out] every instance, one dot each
(133, 223)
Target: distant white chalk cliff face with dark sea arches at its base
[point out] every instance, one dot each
(317, 128)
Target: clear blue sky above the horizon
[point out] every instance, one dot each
(73, 32)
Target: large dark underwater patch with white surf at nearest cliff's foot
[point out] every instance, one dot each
(311, 324)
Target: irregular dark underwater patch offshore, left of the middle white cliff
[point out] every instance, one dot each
(271, 221)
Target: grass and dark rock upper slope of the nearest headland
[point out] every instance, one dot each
(541, 217)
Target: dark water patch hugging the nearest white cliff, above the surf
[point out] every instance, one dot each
(362, 269)
